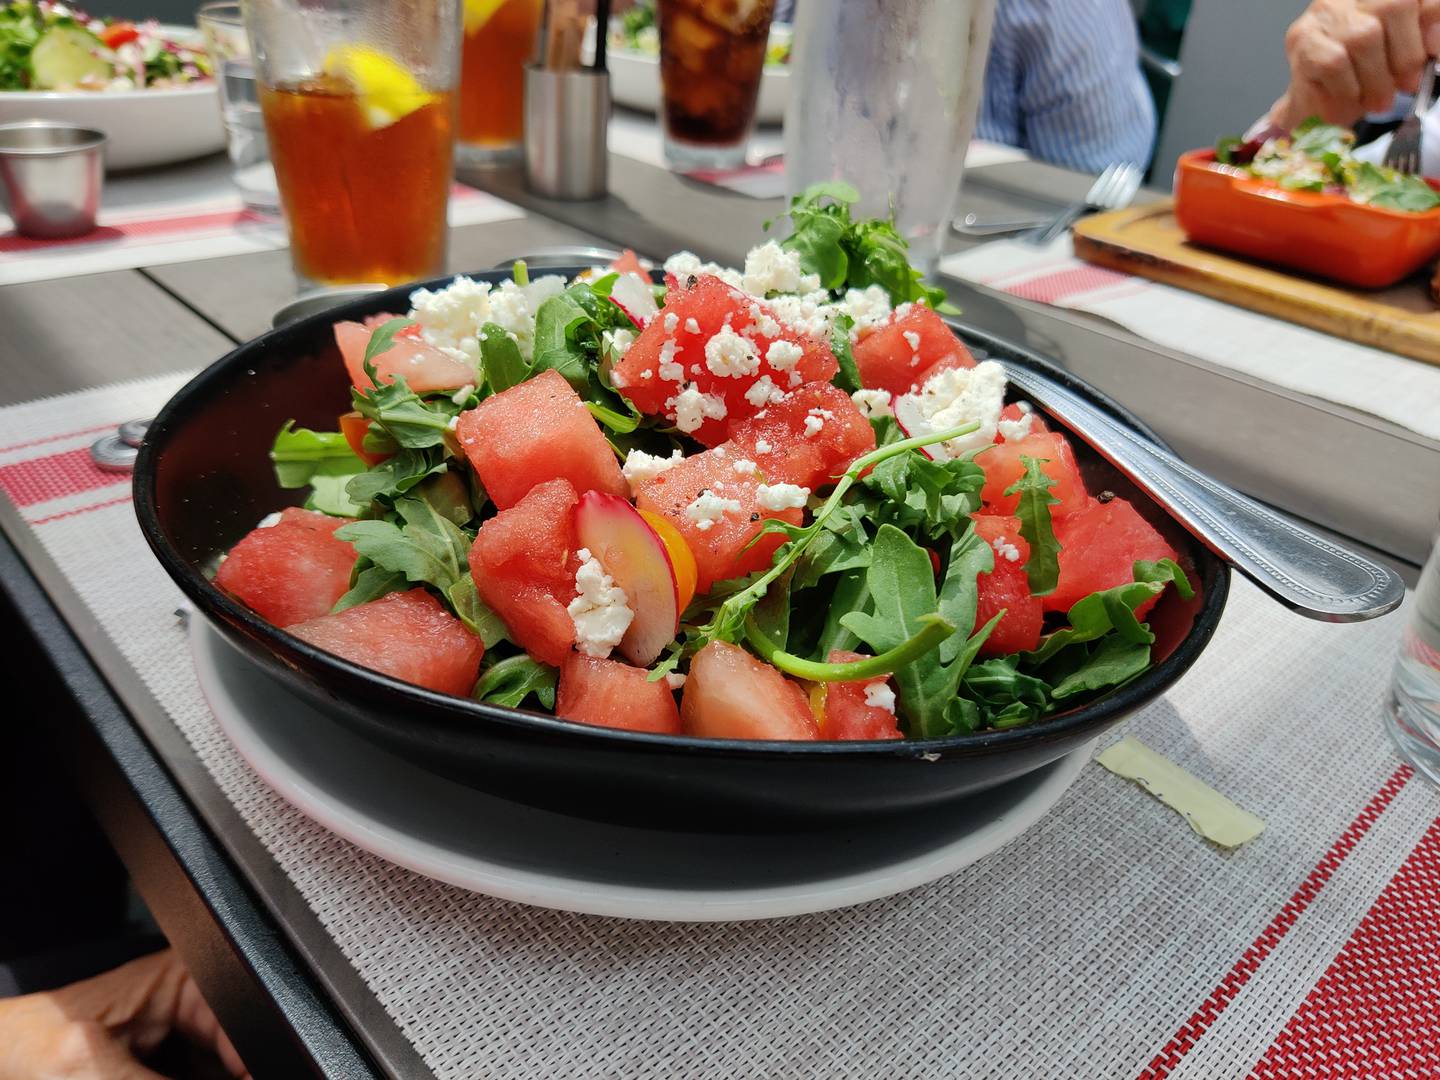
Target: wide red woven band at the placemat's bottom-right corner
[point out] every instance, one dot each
(1376, 1013)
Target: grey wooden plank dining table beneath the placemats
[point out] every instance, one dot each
(277, 981)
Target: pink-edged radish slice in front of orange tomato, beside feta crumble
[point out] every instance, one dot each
(639, 561)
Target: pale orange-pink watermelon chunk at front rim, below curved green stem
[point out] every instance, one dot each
(731, 695)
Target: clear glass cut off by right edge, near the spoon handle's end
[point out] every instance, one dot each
(1413, 716)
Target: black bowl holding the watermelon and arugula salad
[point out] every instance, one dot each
(204, 480)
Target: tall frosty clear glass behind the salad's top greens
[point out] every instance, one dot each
(885, 94)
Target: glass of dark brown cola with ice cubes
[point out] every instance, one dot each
(712, 54)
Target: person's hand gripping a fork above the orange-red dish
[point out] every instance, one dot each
(1351, 57)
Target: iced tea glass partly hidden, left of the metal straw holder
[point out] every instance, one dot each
(500, 40)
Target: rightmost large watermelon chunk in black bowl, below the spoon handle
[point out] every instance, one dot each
(1101, 545)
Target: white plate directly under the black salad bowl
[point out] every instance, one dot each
(531, 856)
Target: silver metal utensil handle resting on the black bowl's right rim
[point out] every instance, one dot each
(1301, 570)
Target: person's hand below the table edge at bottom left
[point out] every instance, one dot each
(93, 1030)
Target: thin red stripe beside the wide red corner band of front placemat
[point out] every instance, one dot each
(1239, 976)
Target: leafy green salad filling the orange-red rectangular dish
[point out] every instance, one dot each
(1318, 158)
